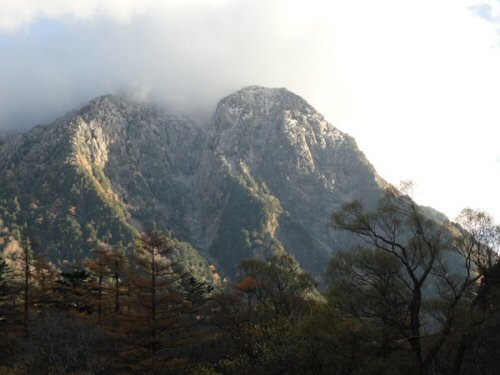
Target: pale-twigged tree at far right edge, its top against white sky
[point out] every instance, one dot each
(479, 244)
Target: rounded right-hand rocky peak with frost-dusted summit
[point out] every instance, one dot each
(298, 160)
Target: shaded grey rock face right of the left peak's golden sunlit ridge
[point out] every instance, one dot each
(153, 159)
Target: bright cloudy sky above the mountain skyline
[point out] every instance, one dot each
(417, 83)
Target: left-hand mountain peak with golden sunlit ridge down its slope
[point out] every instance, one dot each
(108, 170)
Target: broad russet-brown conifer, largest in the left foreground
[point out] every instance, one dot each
(155, 308)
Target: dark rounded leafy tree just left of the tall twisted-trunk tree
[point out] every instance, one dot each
(367, 285)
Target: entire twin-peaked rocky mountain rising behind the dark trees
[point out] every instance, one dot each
(262, 178)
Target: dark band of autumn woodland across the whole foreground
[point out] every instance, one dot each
(417, 297)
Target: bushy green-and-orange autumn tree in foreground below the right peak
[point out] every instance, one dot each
(260, 314)
